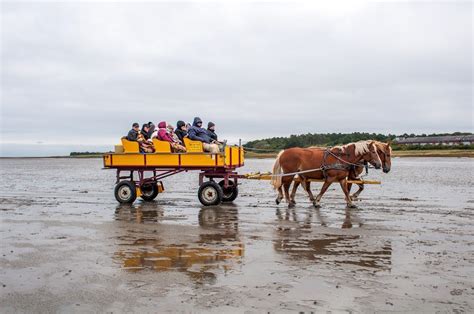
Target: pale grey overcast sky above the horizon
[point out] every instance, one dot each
(82, 73)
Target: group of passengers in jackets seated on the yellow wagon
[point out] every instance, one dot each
(166, 132)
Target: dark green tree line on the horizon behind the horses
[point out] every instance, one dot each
(332, 139)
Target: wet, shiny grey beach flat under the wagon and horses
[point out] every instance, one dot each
(68, 246)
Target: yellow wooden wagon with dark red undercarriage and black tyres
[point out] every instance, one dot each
(151, 168)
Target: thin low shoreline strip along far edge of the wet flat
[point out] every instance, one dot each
(253, 155)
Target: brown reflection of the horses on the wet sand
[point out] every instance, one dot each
(301, 240)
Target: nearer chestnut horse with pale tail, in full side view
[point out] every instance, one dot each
(332, 164)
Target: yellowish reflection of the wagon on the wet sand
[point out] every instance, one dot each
(218, 249)
